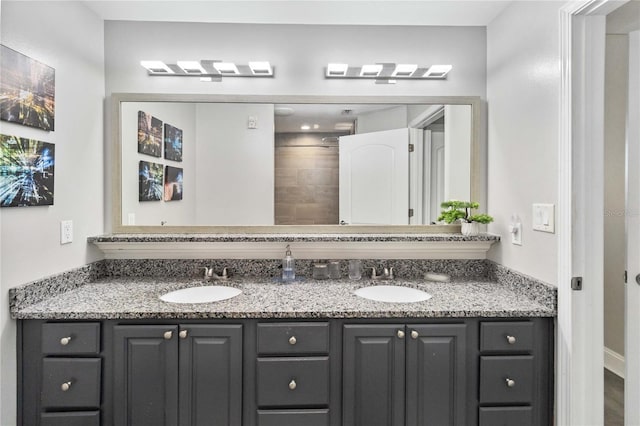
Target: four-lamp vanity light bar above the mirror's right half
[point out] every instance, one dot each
(388, 72)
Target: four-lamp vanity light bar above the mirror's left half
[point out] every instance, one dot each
(208, 70)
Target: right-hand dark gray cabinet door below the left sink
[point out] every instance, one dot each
(211, 375)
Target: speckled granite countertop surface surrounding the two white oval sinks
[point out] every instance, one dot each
(134, 298)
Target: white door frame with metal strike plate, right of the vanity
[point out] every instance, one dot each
(580, 323)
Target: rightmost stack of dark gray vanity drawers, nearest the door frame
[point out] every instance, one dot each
(507, 382)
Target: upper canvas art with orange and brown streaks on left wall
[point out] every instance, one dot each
(27, 90)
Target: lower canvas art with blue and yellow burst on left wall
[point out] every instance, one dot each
(26, 172)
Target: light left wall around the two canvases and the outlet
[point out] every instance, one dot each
(68, 37)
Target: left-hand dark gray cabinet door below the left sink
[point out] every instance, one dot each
(145, 375)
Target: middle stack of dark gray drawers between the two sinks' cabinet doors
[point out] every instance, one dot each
(292, 374)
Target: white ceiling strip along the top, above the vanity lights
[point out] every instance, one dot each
(320, 12)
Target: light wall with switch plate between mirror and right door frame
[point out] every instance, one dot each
(523, 87)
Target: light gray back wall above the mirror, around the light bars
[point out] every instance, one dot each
(299, 54)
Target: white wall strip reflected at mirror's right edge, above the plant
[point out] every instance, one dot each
(457, 152)
